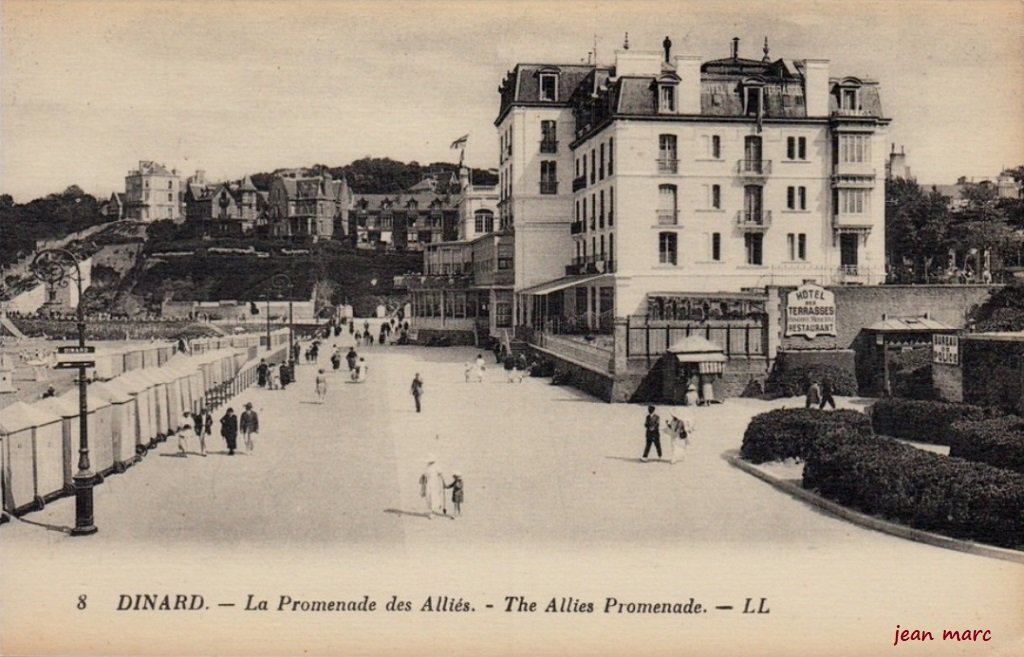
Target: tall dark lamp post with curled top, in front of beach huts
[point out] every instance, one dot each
(55, 268)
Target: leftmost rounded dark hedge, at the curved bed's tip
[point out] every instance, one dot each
(790, 433)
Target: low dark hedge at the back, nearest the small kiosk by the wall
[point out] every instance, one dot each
(924, 421)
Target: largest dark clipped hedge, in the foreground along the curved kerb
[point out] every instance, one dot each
(898, 483)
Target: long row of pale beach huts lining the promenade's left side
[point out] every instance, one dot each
(138, 398)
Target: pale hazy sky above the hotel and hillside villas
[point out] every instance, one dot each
(89, 89)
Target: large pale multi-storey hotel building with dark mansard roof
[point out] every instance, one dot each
(662, 183)
